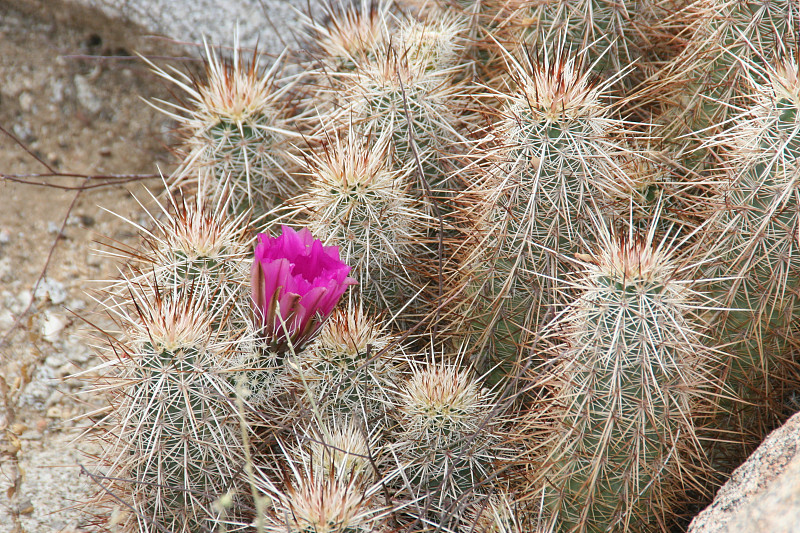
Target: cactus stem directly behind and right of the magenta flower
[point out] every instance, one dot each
(352, 193)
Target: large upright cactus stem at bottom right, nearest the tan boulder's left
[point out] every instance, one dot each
(626, 389)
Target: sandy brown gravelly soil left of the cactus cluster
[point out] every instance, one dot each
(82, 115)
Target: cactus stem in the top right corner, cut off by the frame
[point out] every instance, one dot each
(700, 88)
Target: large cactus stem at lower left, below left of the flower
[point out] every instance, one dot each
(169, 384)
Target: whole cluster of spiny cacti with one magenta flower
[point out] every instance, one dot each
(572, 230)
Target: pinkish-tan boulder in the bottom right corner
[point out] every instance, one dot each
(764, 493)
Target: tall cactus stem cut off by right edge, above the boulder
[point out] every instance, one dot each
(759, 225)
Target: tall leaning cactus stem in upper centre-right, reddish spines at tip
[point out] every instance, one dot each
(554, 153)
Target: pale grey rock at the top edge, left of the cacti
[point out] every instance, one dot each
(217, 20)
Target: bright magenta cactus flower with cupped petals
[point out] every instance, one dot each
(297, 280)
